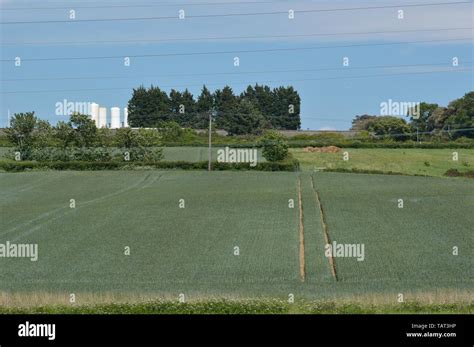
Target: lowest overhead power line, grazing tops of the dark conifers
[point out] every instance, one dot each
(248, 83)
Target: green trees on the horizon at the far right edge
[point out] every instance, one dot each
(455, 120)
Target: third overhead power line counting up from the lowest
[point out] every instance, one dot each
(266, 50)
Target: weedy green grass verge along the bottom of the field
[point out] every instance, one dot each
(244, 307)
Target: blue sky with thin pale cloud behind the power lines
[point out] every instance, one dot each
(314, 44)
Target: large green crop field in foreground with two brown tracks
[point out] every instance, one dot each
(235, 235)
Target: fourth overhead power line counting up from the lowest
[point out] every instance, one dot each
(227, 38)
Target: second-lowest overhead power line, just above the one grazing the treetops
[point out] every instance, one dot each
(349, 68)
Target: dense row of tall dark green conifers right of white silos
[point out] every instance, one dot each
(255, 109)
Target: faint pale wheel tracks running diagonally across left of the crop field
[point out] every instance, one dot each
(56, 213)
